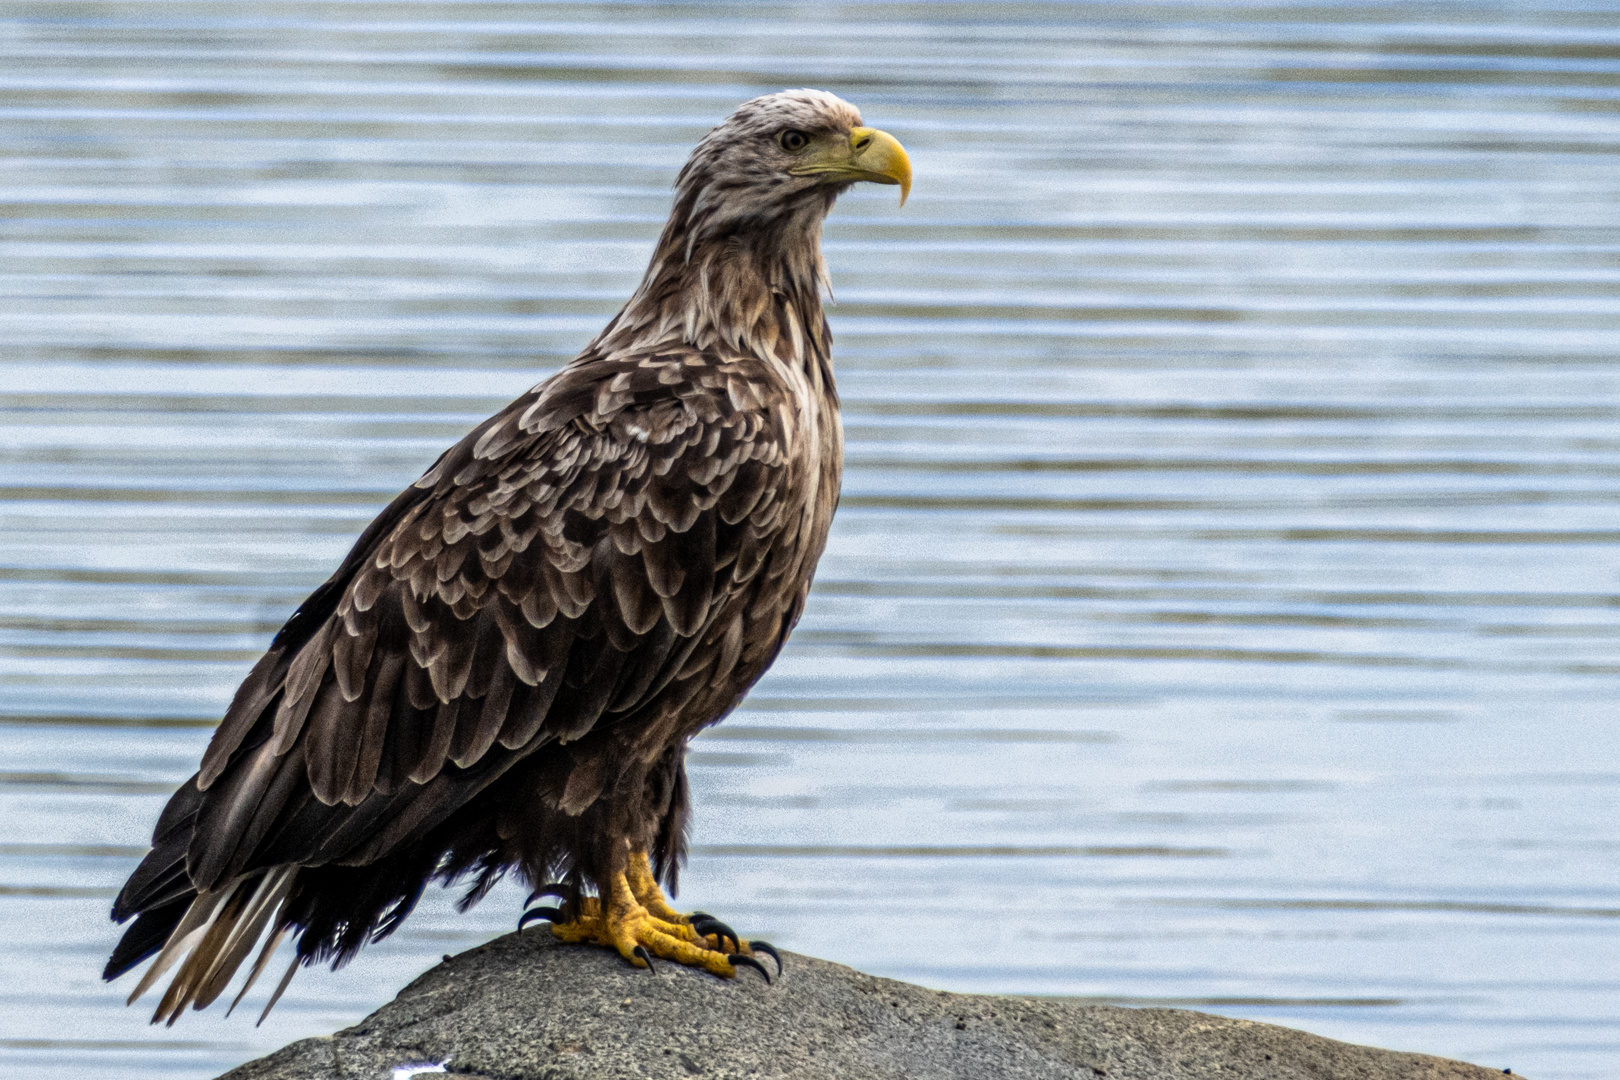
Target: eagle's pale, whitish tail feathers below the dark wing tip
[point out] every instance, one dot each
(213, 938)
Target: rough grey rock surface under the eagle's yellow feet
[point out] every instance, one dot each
(524, 1008)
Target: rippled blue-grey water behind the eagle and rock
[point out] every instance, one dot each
(1226, 602)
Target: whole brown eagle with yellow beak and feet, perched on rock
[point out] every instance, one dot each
(506, 671)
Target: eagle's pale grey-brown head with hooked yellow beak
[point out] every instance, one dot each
(782, 161)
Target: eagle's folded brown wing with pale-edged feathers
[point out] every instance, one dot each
(565, 563)
